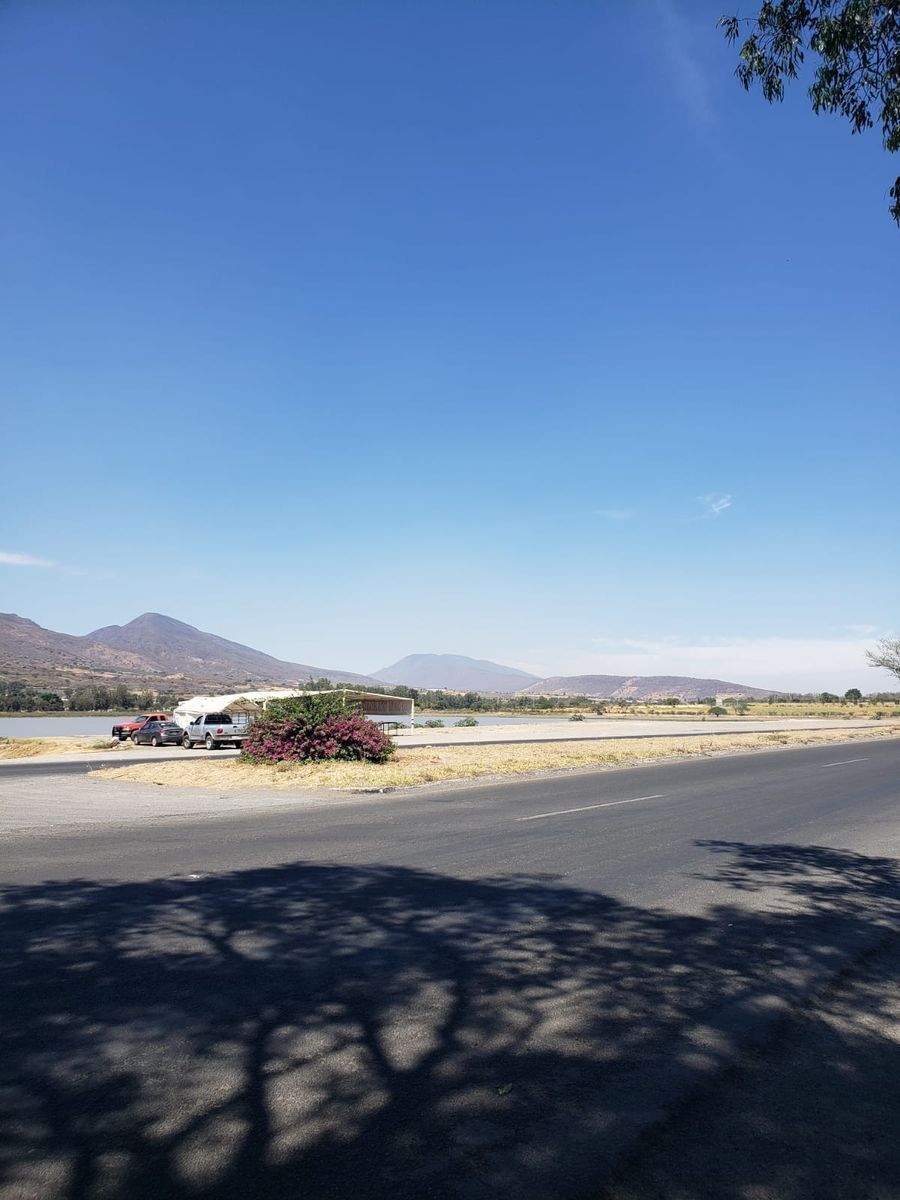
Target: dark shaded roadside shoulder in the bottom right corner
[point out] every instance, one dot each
(814, 1114)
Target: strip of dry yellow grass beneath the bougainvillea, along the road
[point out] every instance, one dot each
(427, 765)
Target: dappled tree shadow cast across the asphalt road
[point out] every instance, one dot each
(373, 1031)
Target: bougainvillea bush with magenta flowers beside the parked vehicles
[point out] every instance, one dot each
(315, 728)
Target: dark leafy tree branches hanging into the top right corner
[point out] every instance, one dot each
(857, 44)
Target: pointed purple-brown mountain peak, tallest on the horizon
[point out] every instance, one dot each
(176, 649)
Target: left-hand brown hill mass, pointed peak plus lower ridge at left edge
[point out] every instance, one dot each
(152, 651)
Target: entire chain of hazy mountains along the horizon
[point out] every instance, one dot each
(159, 652)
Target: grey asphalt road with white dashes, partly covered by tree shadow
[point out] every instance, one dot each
(448, 994)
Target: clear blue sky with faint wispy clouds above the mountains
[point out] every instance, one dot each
(512, 329)
